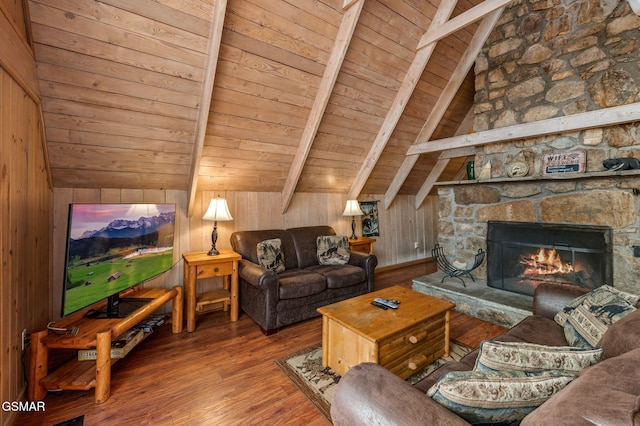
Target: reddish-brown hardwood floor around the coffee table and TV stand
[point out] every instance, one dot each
(222, 374)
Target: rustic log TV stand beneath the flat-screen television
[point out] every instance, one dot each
(93, 332)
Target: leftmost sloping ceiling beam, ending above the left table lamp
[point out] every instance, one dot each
(215, 37)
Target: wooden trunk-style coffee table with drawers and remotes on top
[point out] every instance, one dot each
(403, 340)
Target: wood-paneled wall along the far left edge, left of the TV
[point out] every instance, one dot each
(25, 203)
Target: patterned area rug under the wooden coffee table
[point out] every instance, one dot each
(304, 368)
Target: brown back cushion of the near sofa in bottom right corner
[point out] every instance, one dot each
(607, 393)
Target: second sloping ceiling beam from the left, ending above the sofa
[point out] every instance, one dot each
(338, 52)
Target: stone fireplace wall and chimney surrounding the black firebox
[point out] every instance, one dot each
(547, 59)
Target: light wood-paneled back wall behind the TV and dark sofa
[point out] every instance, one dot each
(400, 226)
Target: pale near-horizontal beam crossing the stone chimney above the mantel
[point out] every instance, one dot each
(586, 120)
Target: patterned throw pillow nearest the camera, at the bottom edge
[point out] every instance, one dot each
(497, 397)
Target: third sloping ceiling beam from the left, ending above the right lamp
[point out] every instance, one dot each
(407, 87)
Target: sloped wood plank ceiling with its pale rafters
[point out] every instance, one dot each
(253, 95)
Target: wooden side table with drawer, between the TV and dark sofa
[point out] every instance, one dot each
(198, 265)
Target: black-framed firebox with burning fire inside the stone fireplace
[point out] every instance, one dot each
(521, 255)
